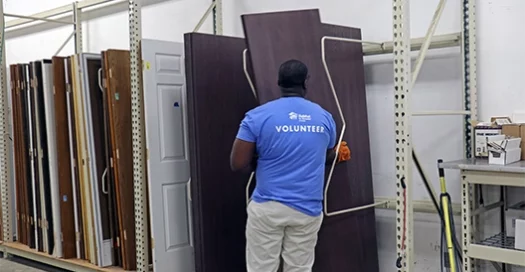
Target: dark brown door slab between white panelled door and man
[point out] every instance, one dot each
(218, 98)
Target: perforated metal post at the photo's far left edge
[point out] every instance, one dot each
(5, 125)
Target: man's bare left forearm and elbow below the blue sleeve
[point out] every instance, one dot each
(242, 156)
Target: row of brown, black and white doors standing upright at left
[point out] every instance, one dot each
(72, 156)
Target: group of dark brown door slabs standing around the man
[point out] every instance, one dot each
(216, 84)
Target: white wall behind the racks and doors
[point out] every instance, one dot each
(439, 87)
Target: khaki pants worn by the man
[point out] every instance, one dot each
(274, 229)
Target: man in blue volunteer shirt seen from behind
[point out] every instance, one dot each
(293, 139)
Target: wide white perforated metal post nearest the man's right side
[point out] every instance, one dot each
(402, 84)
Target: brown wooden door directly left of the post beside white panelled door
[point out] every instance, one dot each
(117, 65)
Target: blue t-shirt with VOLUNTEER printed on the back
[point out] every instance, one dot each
(292, 136)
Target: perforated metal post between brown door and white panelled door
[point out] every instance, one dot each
(138, 131)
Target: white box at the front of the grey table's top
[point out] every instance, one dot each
(503, 150)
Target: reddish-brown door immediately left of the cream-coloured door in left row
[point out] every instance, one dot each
(64, 161)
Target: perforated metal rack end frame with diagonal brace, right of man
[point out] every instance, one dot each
(404, 79)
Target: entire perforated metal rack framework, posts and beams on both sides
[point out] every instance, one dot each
(404, 78)
